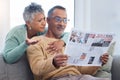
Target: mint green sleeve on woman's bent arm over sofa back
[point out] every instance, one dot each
(13, 49)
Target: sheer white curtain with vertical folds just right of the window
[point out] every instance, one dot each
(83, 14)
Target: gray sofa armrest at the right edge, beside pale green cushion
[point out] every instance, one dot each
(116, 67)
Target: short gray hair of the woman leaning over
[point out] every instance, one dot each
(31, 10)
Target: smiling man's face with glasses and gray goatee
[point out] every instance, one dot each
(57, 23)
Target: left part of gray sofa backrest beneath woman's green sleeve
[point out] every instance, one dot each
(17, 71)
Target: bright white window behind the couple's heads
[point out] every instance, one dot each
(17, 8)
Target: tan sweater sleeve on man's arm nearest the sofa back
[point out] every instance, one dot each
(38, 63)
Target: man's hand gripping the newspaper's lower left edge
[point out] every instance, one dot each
(60, 60)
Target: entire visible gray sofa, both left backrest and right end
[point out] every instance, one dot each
(21, 70)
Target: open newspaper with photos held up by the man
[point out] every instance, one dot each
(85, 48)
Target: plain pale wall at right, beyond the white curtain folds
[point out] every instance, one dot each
(106, 18)
